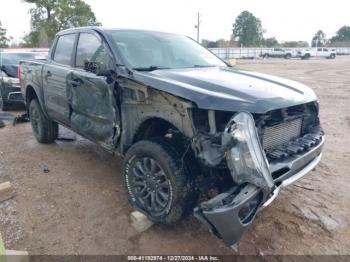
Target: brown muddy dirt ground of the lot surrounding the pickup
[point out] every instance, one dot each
(70, 199)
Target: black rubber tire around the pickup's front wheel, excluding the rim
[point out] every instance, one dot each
(183, 196)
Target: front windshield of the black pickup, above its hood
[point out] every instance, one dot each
(153, 50)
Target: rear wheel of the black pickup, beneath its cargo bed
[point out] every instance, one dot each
(45, 130)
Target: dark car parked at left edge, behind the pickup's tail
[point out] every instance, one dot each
(10, 89)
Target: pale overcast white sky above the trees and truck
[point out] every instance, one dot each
(286, 20)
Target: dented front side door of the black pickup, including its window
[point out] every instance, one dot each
(92, 98)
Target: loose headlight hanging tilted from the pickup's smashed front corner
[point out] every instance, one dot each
(246, 159)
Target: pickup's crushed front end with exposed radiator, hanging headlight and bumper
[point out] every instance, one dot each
(261, 154)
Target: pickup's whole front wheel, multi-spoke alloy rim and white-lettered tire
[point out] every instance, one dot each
(158, 182)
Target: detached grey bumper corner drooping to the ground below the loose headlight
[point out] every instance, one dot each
(229, 215)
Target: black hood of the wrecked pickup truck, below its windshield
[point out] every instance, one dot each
(228, 89)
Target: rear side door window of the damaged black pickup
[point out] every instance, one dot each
(64, 49)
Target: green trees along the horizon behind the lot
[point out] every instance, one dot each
(51, 16)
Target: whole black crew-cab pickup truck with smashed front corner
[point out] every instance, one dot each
(196, 134)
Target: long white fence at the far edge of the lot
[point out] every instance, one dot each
(227, 53)
